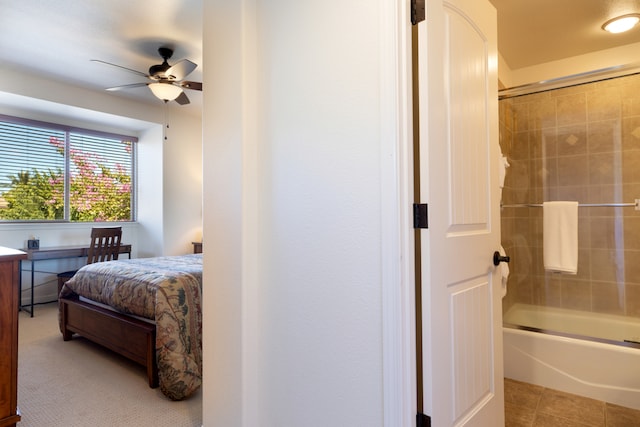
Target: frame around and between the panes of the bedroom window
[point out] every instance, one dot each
(69, 129)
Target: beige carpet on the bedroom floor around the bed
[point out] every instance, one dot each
(77, 383)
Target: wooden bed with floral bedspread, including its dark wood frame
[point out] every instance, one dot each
(146, 309)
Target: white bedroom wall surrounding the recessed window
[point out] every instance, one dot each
(170, 172)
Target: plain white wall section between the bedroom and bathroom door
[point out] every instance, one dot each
(293, 199)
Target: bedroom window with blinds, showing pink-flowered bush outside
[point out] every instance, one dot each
(50, 172)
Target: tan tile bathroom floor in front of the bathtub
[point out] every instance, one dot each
(528, 405)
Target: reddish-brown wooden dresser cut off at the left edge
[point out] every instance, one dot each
(9, 270)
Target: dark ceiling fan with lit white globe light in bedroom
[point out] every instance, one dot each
(167, 81)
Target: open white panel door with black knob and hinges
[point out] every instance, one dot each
(462, 313)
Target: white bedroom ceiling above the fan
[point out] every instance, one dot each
(59, 38)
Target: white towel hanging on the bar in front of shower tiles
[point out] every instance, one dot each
(560, 236)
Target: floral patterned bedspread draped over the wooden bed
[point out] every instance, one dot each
(165, 289)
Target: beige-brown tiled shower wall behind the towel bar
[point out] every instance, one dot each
(578, 143)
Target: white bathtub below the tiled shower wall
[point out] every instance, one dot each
(603, 367)
